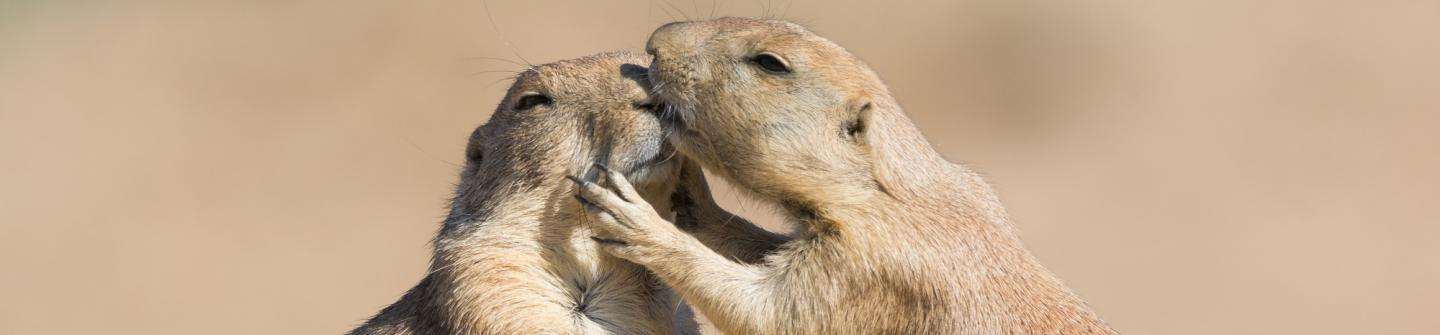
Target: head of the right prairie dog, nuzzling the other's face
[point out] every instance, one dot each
(771, 107)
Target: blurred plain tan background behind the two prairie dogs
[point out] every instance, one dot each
(279, 167)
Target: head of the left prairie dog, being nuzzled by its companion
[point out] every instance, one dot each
(559, 120)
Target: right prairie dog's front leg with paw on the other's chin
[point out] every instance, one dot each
(737, 297)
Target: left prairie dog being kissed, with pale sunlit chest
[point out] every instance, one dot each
(515, 257)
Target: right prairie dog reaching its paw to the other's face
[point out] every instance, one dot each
(895, 239)
